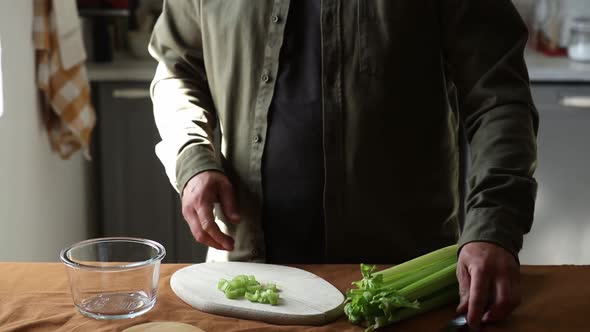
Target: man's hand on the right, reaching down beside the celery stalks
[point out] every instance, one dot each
(489, 283)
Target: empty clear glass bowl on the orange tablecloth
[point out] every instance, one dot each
(114, 278)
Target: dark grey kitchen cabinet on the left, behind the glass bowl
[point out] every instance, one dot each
(136, 198)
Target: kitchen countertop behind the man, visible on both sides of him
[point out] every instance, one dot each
(541, 69)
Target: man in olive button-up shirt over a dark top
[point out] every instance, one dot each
(339, 122)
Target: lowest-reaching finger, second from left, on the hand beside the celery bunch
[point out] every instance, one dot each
(478, 297)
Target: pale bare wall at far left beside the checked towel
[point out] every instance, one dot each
(43, 201)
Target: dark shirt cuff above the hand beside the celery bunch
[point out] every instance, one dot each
(494, 226)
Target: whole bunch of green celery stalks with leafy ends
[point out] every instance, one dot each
(405, 290)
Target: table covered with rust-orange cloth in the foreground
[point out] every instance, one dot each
(36, 297)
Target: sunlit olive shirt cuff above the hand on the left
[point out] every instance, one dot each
(193, 160)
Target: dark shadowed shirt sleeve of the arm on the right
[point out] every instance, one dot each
(483, 45)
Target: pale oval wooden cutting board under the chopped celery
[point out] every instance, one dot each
(305, 299)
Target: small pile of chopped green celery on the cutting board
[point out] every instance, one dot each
(247, 286)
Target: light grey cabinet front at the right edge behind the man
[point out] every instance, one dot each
(561, 230)
